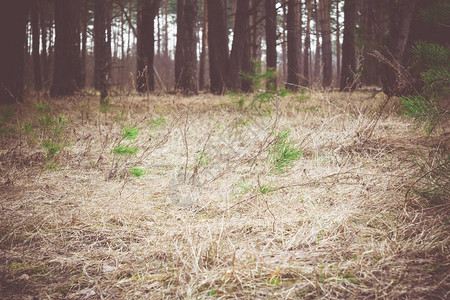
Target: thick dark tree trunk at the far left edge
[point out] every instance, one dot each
(13, 17)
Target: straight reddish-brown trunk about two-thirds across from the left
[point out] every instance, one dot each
(292, 44)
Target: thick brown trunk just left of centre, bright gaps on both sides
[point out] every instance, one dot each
(186, 49)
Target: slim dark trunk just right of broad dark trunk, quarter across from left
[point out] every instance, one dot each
(100, 49)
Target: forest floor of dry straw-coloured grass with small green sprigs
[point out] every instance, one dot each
(165, 197)
